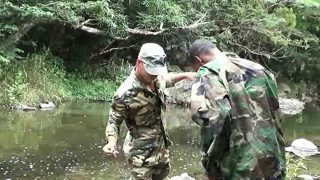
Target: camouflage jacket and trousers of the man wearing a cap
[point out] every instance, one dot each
(142, 110)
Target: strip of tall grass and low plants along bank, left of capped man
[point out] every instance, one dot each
(41, 77)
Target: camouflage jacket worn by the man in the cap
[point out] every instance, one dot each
(142, 110)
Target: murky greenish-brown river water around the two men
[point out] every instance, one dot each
(66, 143)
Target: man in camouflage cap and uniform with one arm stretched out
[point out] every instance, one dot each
(140, 102)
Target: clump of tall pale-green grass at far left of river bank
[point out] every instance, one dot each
(36, 78)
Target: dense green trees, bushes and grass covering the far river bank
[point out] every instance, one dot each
(53, 50)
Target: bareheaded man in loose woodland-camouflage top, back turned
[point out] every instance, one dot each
(235, 103)
